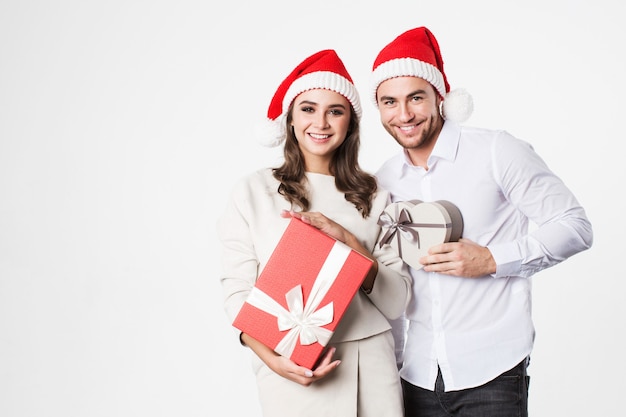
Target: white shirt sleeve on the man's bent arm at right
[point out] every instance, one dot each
(560, 227)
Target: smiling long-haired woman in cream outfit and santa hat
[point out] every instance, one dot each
(316, 112)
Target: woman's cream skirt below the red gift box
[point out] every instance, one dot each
(365, 384)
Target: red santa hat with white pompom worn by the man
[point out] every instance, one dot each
(416, 53)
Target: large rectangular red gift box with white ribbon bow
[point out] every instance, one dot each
(302, 293)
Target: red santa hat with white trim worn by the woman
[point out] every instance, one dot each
(324, 70)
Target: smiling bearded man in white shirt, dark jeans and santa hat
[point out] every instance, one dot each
(470, 332)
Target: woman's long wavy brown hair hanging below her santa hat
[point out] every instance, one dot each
(358, 186)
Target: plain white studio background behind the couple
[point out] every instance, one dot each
(123, 125)
